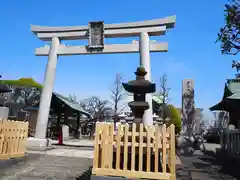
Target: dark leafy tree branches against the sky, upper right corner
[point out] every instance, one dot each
(229, 35)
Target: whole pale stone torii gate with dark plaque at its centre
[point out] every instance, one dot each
(95, 32)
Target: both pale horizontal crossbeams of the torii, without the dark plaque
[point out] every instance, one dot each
(152, 27)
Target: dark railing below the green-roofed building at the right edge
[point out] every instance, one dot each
(230, 141)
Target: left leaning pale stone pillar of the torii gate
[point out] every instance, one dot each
(46, 95)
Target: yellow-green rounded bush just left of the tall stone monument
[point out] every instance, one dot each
(175, 118)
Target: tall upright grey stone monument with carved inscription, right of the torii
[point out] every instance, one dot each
(188, 108)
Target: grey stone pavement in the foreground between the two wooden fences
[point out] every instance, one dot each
(44, 167)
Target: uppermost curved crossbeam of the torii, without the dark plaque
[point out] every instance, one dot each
(153, 27)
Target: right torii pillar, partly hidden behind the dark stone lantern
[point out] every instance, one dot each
(145, 62)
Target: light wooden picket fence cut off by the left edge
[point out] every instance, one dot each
(13, 137)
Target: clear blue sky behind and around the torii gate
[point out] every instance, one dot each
(193, 52)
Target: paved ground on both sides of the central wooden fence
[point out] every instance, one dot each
(69, 163)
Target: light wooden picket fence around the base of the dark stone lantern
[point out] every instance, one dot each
(146, 152)
